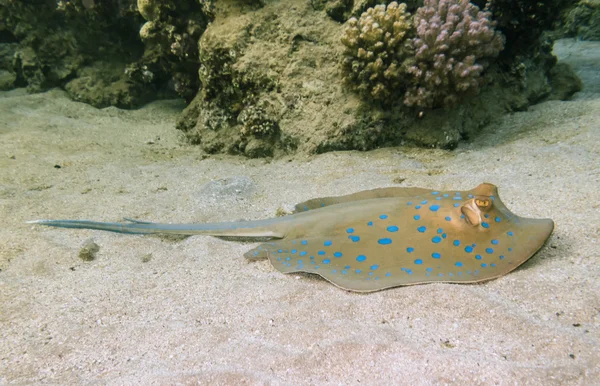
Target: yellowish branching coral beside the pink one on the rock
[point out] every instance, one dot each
(376, 47)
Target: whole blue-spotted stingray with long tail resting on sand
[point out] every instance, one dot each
(381, 238)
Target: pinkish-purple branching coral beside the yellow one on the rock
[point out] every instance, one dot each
(454, 39)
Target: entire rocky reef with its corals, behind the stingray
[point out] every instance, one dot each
(263, 77)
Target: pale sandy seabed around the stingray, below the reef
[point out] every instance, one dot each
(156, 310)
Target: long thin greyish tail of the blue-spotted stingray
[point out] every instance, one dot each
(258, 228)
